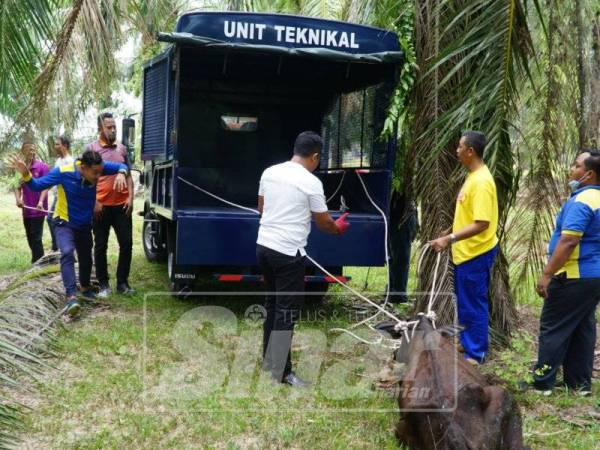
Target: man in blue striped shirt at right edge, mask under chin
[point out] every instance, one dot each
(570, 284)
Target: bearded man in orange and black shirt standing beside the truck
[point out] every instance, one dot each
(113, 209)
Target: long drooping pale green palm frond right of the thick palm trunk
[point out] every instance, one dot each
(549, 118)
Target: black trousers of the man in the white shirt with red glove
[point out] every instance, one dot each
(284, 281)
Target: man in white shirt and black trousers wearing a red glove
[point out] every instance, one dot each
(289, 196)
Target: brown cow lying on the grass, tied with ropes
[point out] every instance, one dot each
(447, 403)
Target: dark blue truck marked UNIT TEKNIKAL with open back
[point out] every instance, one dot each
(225, 100)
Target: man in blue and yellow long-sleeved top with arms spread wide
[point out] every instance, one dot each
(76, 198)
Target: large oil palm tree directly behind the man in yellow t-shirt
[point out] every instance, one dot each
(473, 57)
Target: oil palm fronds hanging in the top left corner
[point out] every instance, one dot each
(78, 67)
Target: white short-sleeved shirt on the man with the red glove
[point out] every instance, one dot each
(291, 194)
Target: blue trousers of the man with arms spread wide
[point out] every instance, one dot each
(69, 240)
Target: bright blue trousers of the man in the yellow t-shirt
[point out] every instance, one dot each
(471, 283)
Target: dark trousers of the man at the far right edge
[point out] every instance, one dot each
(568, 333)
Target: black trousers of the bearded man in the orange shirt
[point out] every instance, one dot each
(115, 217)
